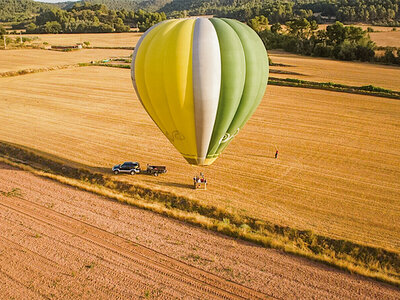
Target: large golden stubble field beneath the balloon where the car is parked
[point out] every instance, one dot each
(337, 174)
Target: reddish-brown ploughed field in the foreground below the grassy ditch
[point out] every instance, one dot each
(58, 242)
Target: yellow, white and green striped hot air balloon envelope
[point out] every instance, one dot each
(200, 80)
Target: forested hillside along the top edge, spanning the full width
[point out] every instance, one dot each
(377, 12)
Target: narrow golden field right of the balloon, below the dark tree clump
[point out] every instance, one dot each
(328, 70)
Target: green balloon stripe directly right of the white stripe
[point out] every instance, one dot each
(233, 73)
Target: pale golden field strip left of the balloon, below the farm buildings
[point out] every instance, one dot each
(15, 60)
